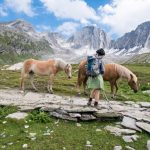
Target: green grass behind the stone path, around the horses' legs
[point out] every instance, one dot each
(64, 86)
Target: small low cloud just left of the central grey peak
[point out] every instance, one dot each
(67, 28)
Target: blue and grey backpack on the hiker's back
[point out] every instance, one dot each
(93, 67)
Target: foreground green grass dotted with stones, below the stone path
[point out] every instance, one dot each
(64, 134)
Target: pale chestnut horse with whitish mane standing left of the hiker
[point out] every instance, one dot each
(50, 67)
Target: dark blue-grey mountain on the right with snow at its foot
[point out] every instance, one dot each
(134, 41)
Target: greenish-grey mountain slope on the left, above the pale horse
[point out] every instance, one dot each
(20, 37)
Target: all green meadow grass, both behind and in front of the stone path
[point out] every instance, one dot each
(66, 135)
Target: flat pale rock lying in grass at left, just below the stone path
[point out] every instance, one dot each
(17, 115)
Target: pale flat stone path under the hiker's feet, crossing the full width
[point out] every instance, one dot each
(74, 107)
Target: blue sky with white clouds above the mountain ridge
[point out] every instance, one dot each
(116, 17)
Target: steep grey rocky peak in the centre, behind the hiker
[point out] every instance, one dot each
(90, 36)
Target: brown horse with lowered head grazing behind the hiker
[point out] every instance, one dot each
(112, 73)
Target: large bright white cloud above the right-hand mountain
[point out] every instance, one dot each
(123, 16)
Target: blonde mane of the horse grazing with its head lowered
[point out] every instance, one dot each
(125, 72)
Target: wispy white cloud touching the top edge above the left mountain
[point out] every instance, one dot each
(20, 6)
